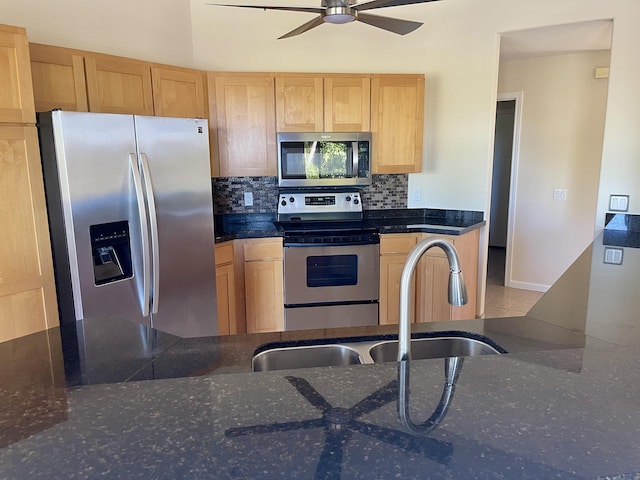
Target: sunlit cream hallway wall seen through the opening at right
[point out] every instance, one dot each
(563, 112)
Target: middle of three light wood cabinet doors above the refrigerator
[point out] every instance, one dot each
(118, 85)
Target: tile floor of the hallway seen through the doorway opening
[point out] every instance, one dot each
(501, 301)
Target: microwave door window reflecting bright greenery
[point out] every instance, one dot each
(302, 160)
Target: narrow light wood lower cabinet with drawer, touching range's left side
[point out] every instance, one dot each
(264, 285)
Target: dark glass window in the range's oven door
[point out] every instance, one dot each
(332, 270)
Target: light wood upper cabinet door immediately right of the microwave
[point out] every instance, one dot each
(397, 119)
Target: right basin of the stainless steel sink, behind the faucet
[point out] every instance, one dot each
(436, 347)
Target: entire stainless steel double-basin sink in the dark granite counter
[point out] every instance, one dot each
(368, 350)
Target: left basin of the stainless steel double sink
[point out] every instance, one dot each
(305, 357)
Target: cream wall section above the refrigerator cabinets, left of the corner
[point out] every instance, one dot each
(154, 30)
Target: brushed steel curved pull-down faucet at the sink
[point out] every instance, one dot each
(457, 289)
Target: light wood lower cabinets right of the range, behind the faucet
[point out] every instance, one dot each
(430, 298)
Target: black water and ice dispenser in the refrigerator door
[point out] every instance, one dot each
(111, 251)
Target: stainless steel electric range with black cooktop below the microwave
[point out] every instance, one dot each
(331, 260)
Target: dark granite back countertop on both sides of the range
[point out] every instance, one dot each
(446, 222)
